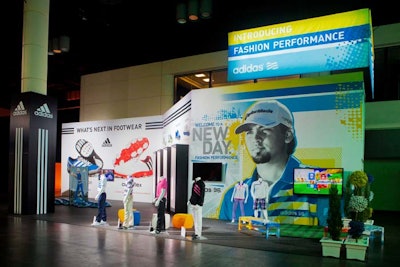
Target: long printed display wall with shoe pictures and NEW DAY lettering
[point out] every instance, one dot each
(327, 121)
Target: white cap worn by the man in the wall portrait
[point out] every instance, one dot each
(268, 113)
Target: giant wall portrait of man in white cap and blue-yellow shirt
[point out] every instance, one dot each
(268, 128)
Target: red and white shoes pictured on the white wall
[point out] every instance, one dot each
(128, 162)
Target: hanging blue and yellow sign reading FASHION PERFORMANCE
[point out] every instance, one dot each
(335, 42)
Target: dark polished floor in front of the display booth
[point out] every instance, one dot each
(66, 238)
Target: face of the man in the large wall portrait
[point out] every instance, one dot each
(263, 143)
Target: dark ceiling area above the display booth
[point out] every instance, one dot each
(109, 34)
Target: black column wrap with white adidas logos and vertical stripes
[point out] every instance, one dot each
(32, 153)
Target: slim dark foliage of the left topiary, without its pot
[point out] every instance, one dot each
(334, 220)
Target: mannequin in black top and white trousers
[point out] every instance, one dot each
(195, 206)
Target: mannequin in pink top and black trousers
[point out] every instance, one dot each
(159, 202)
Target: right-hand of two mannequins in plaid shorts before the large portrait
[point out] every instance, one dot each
(259, 192)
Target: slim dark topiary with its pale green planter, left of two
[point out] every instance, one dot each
(331, 245)
